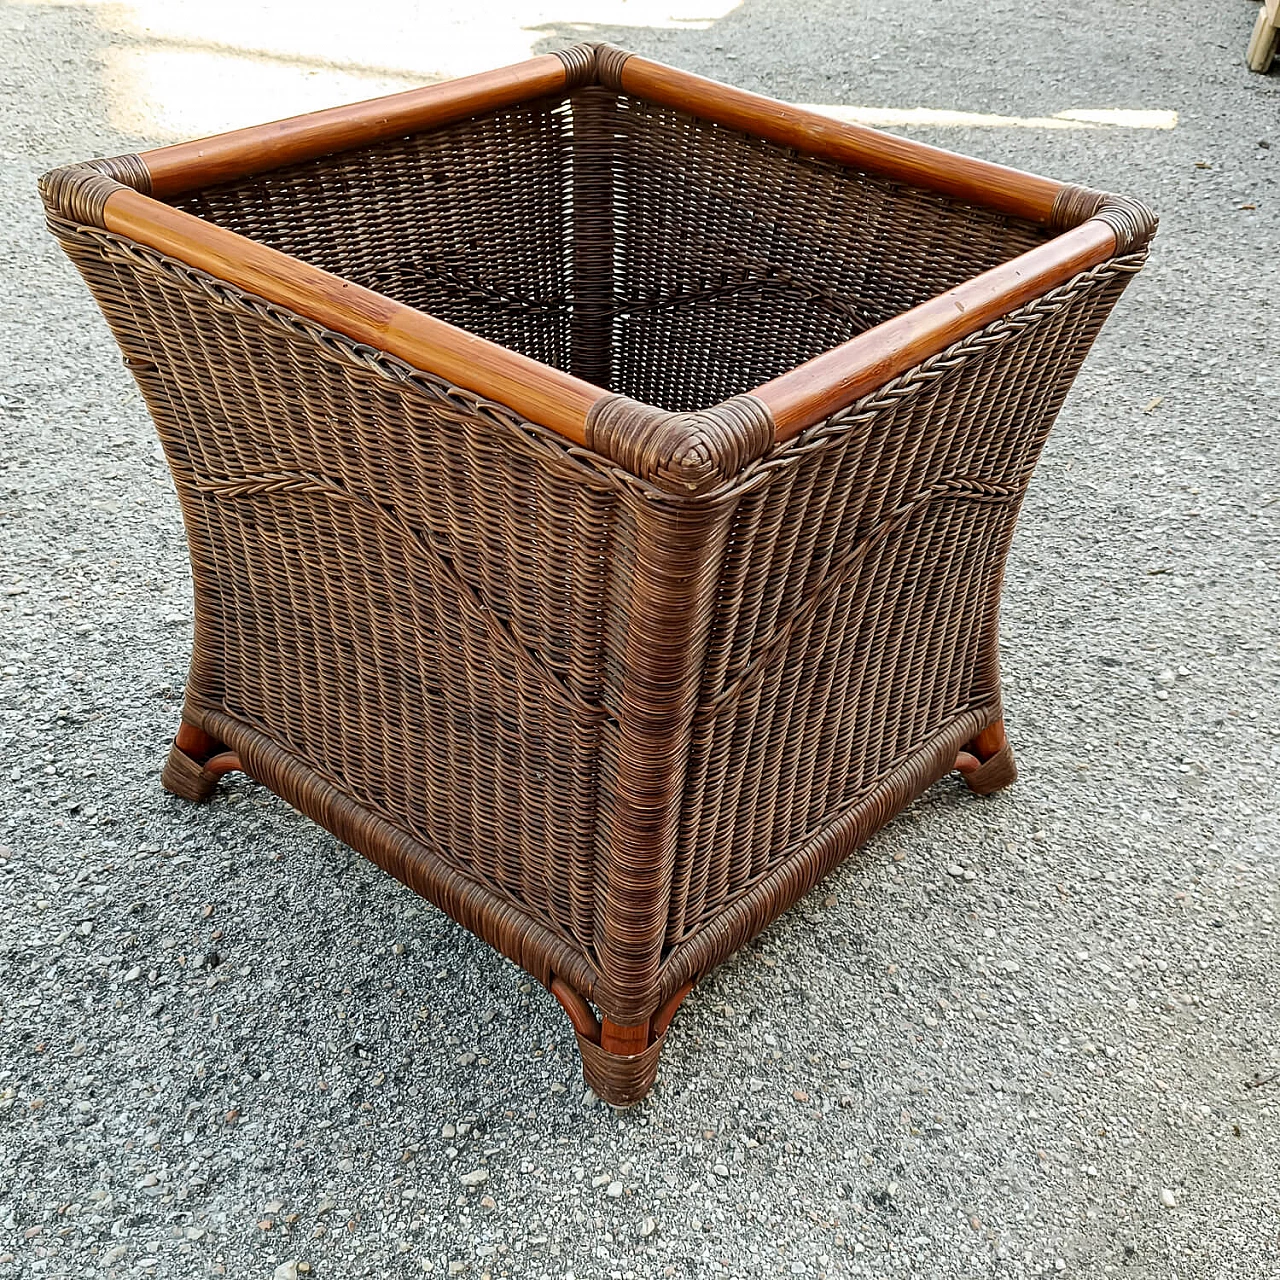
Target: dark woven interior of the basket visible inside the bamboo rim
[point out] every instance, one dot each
(650, 252)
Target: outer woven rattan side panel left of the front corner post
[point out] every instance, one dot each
(409, 591)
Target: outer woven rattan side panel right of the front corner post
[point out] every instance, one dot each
(857, 615)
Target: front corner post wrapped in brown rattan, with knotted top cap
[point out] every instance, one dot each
(691, 463)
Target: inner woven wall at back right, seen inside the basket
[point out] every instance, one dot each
(737, 260)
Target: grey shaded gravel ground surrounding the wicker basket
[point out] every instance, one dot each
(230, 1046)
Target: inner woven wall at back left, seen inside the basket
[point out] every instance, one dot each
(472, 222)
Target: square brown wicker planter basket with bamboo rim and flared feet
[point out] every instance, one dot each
(598, 484)
